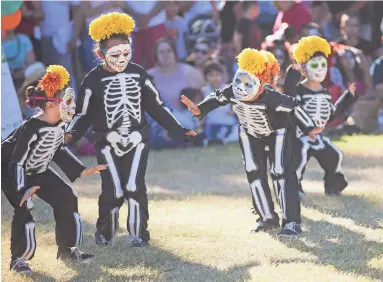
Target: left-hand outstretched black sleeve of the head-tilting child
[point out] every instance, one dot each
(215, 99)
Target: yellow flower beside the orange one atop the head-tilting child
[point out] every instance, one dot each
(254, 62)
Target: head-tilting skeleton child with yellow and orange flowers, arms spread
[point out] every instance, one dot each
(262, 116)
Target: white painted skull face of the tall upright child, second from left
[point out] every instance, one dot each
(118, 57)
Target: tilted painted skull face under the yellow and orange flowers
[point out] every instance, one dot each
(245, 85)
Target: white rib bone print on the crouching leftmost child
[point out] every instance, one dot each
(42, 153)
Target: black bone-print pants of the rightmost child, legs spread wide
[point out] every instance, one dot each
(329, 158)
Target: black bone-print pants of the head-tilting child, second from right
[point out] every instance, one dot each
(283, 165)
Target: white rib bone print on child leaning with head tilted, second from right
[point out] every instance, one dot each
(253, 118)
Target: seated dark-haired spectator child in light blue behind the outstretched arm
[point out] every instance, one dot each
(221, 124)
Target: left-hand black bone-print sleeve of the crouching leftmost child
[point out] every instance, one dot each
(16, 168)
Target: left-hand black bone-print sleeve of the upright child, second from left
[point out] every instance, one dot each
(84, 111)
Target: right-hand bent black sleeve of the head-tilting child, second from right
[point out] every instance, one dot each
(283, 103)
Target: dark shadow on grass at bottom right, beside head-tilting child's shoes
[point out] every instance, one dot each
(339, 247)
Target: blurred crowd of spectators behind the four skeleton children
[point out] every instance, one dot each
(189, 48)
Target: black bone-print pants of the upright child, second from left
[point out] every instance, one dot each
(123, 180)
